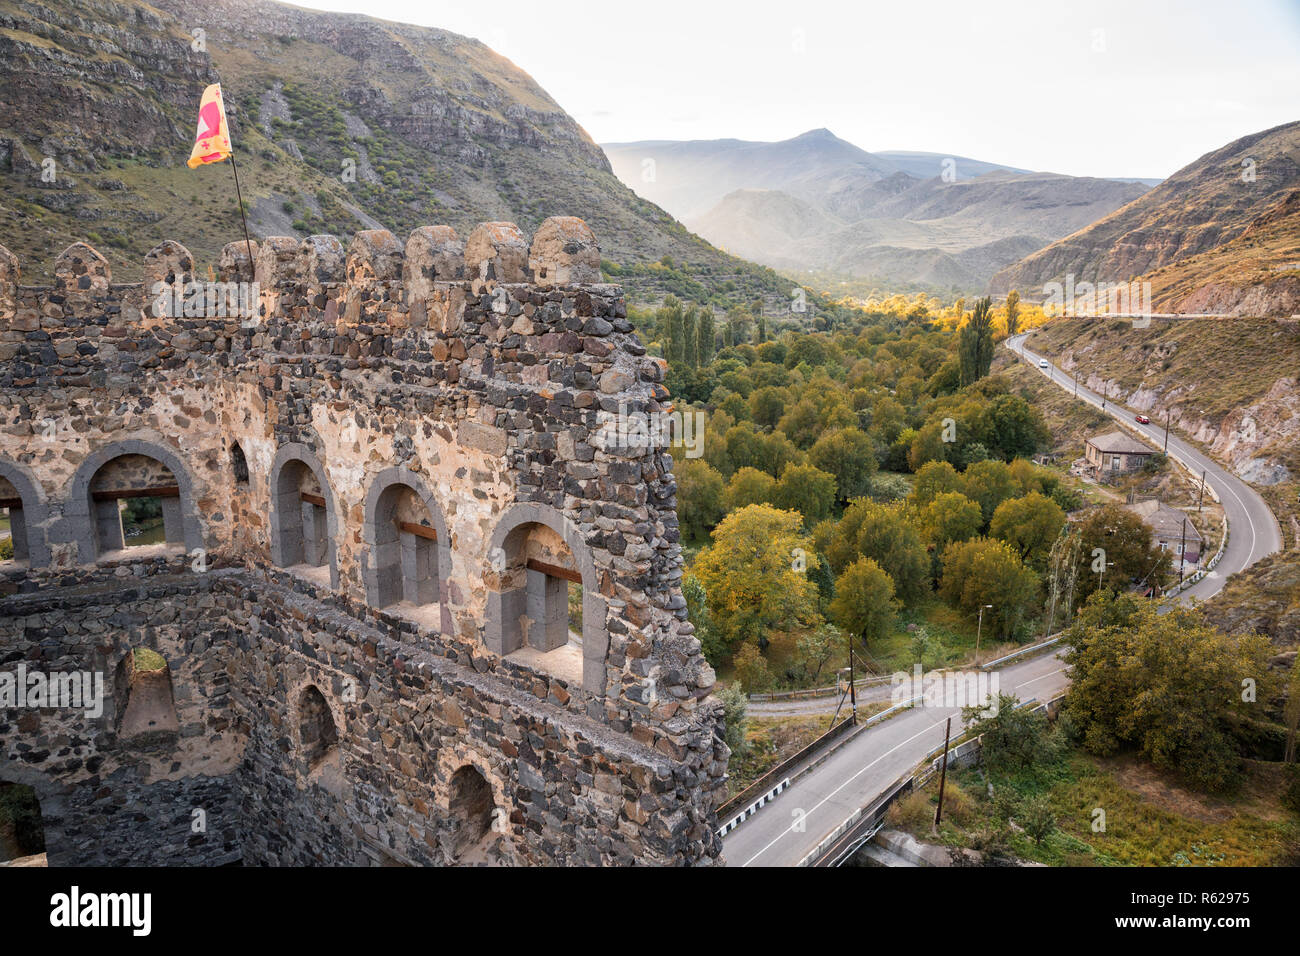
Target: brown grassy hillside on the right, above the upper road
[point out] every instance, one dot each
(1219, 235)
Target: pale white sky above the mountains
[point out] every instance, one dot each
(1090, 88)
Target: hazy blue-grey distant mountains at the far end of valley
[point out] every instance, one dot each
(903, 219)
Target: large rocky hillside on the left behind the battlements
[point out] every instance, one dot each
(340, 122)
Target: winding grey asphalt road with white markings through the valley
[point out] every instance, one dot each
(861, 769)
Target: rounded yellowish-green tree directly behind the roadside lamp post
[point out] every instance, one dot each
(985, 572)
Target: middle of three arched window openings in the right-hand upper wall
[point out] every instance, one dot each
(406, 553)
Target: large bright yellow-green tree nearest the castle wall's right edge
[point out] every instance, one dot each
(749, 573)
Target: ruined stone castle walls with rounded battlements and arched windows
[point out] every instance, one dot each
(383, 491)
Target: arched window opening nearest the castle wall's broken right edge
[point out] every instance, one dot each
(539, 589)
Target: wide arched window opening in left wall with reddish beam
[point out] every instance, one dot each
(136, 503)
